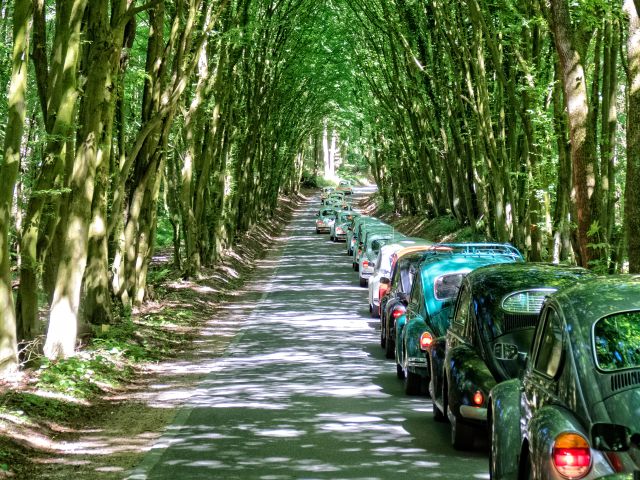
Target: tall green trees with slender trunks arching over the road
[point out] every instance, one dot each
(516, 119)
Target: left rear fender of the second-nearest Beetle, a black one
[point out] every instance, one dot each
(467, 373)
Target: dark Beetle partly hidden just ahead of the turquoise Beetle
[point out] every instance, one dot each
(394, 304)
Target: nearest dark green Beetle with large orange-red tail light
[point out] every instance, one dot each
(575, 413)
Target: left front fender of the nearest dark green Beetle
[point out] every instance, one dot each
(504, 429)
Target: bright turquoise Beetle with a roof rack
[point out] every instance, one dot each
(434, 290)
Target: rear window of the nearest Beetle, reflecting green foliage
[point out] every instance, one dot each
(617, 341)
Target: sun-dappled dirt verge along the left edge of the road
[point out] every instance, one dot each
(108, 435)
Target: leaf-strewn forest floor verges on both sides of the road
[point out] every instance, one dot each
(103, 436)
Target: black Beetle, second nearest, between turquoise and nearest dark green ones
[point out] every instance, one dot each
(490, 333)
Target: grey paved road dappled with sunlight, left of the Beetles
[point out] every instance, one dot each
(304, 391)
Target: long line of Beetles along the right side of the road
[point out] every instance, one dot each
(542, 360)
